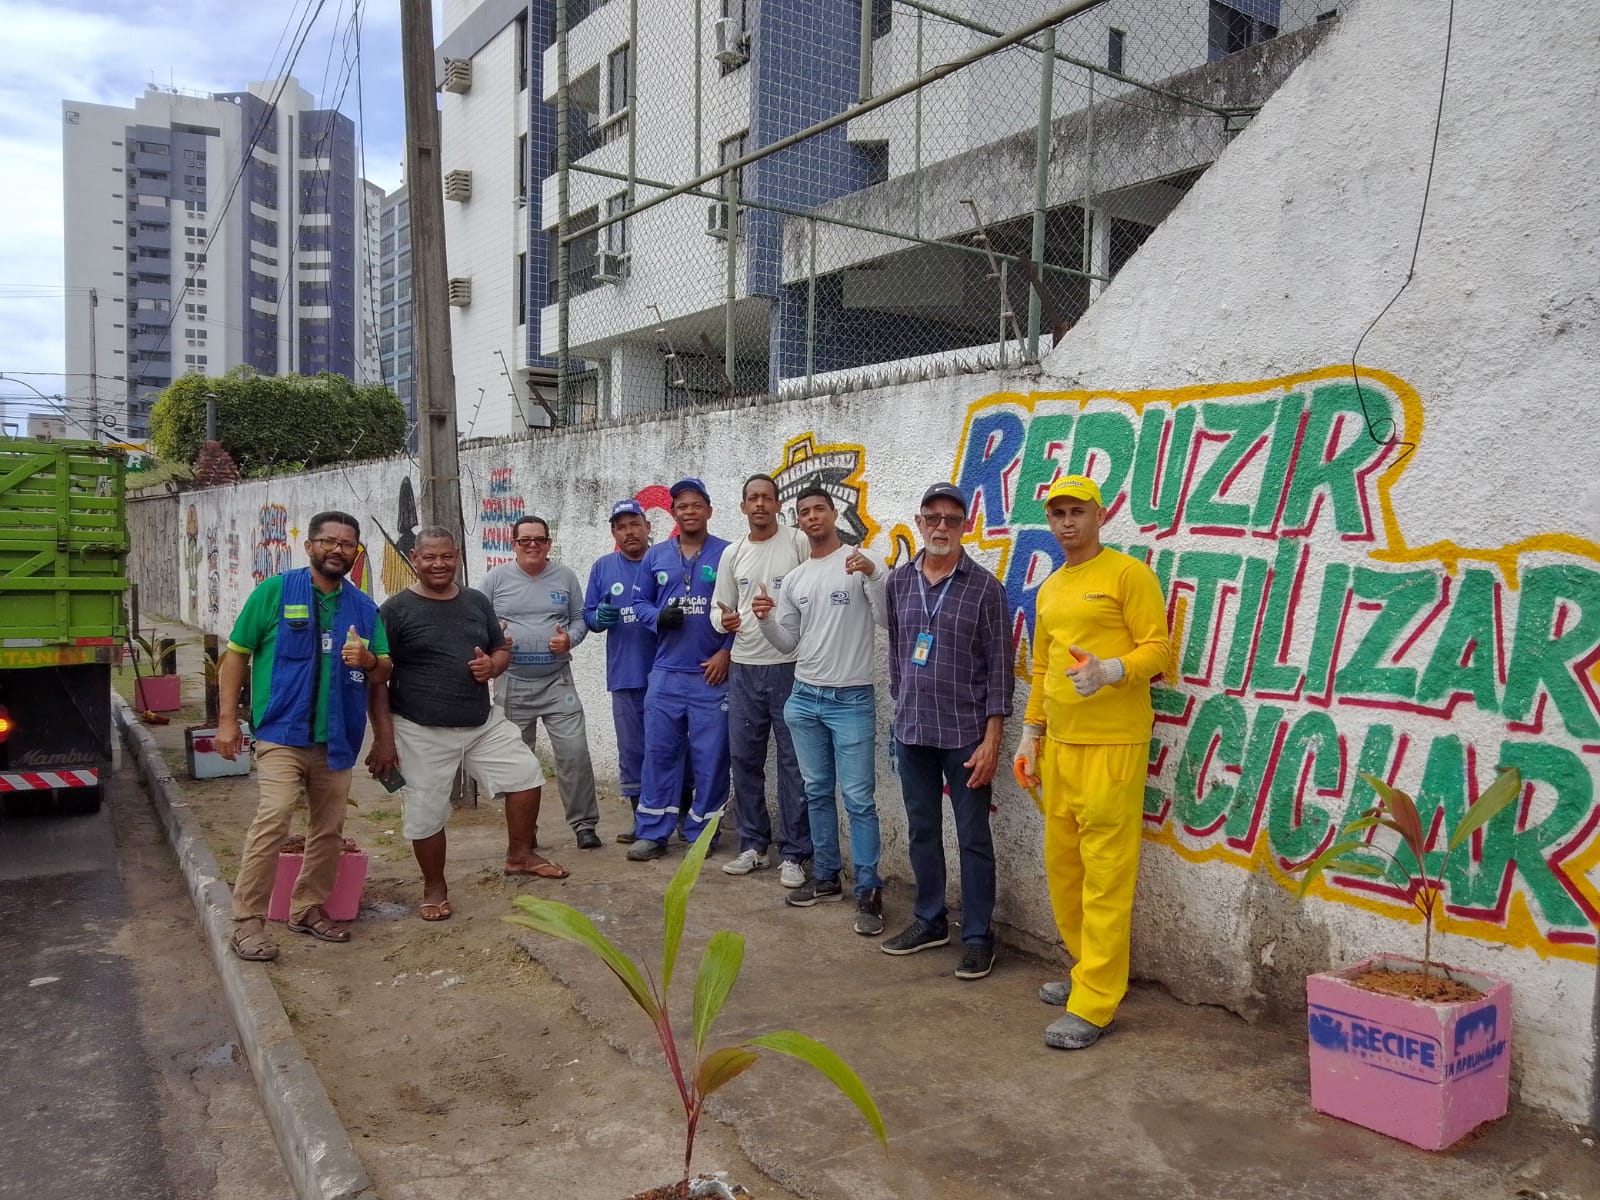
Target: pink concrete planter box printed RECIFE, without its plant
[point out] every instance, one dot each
(1423, 1073)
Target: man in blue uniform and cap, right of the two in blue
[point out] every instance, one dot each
(687, 700)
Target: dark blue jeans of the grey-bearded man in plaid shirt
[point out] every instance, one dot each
(926, 772)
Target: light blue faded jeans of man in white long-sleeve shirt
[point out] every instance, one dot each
(834, 732)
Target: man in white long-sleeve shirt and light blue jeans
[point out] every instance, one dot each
(828, 614)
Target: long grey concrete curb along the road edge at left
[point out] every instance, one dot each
(313, 1142)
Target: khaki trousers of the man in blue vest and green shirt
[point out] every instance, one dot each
(289, 775)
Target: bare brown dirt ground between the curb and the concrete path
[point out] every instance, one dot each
(457, 1063)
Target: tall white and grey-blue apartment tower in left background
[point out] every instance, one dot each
(215, 230)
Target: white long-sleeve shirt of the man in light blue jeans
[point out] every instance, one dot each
(830, 617)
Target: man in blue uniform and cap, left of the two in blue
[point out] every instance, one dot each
(630, 646)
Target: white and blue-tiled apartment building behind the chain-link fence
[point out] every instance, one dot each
(655, 298)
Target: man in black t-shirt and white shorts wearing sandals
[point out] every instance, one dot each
(436, 718)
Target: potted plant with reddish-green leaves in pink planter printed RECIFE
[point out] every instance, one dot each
(1412, 1049)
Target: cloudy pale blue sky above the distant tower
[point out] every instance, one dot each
(106, 52)
